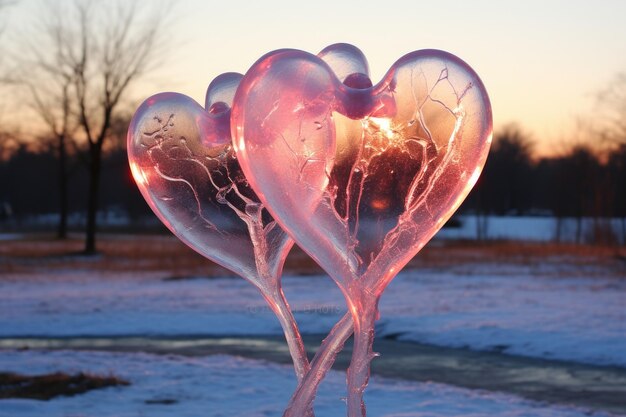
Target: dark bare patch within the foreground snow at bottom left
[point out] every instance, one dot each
(46, 387)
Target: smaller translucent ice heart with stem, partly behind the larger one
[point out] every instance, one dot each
(182, 159)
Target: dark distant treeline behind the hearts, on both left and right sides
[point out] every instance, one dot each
(578, 184)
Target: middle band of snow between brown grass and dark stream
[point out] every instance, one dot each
(512, 309)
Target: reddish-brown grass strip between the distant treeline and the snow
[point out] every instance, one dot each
(152, 253)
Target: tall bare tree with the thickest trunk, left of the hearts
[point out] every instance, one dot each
(100, 49)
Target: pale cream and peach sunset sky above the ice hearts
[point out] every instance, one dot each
(542, 62)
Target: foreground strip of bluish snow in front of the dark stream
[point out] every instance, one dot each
(221, 386)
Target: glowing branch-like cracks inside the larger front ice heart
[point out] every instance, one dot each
(379, 136)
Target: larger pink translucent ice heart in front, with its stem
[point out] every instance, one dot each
(361, 176)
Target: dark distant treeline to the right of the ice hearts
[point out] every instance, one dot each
(577, 184)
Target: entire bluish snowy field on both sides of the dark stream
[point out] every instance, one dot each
(556, 305)
